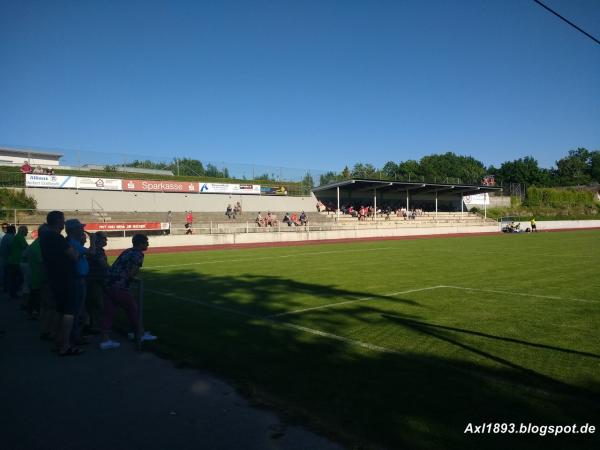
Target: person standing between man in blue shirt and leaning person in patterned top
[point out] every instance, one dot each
(99, 269)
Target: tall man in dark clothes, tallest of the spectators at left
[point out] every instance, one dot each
(59, 261)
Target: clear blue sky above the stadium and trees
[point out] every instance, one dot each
(304, 84)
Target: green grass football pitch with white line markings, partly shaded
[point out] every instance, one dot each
(396, 344)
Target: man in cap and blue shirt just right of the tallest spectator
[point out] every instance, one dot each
(76, 237)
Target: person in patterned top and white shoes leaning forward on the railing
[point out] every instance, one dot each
(118, 289)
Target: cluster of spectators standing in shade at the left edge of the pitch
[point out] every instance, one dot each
(68, 286)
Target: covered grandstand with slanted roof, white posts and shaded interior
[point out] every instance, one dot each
(432, 197)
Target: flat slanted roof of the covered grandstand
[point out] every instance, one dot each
(414, 187)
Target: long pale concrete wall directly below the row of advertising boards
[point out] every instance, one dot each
(71, 199)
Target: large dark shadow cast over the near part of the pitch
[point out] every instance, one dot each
(366, 398)
